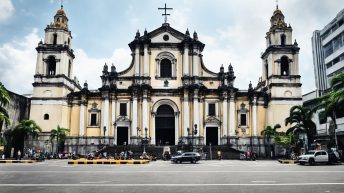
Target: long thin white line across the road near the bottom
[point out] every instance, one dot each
(164, 185)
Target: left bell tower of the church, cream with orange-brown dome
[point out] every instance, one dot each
(53, 79)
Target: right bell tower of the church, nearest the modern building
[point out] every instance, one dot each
(280, 69)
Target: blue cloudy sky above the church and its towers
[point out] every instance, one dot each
(233, 31)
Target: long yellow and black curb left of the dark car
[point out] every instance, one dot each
(105, 161)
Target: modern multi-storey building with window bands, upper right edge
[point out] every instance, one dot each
(328, 52)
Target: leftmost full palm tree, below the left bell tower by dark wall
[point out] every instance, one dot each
(25, 129)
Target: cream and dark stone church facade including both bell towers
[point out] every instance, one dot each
(166, 96)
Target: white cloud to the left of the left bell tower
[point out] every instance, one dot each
(18, 59)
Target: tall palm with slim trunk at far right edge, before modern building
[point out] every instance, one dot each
(333, 102)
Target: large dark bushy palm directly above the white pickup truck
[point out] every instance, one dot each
(300, 119)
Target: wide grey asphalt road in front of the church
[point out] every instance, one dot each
(56, 176)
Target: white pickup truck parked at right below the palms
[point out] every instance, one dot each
(314, 156)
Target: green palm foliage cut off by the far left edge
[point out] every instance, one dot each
(4, 99)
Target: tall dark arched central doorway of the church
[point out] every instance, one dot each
(165, 126)
